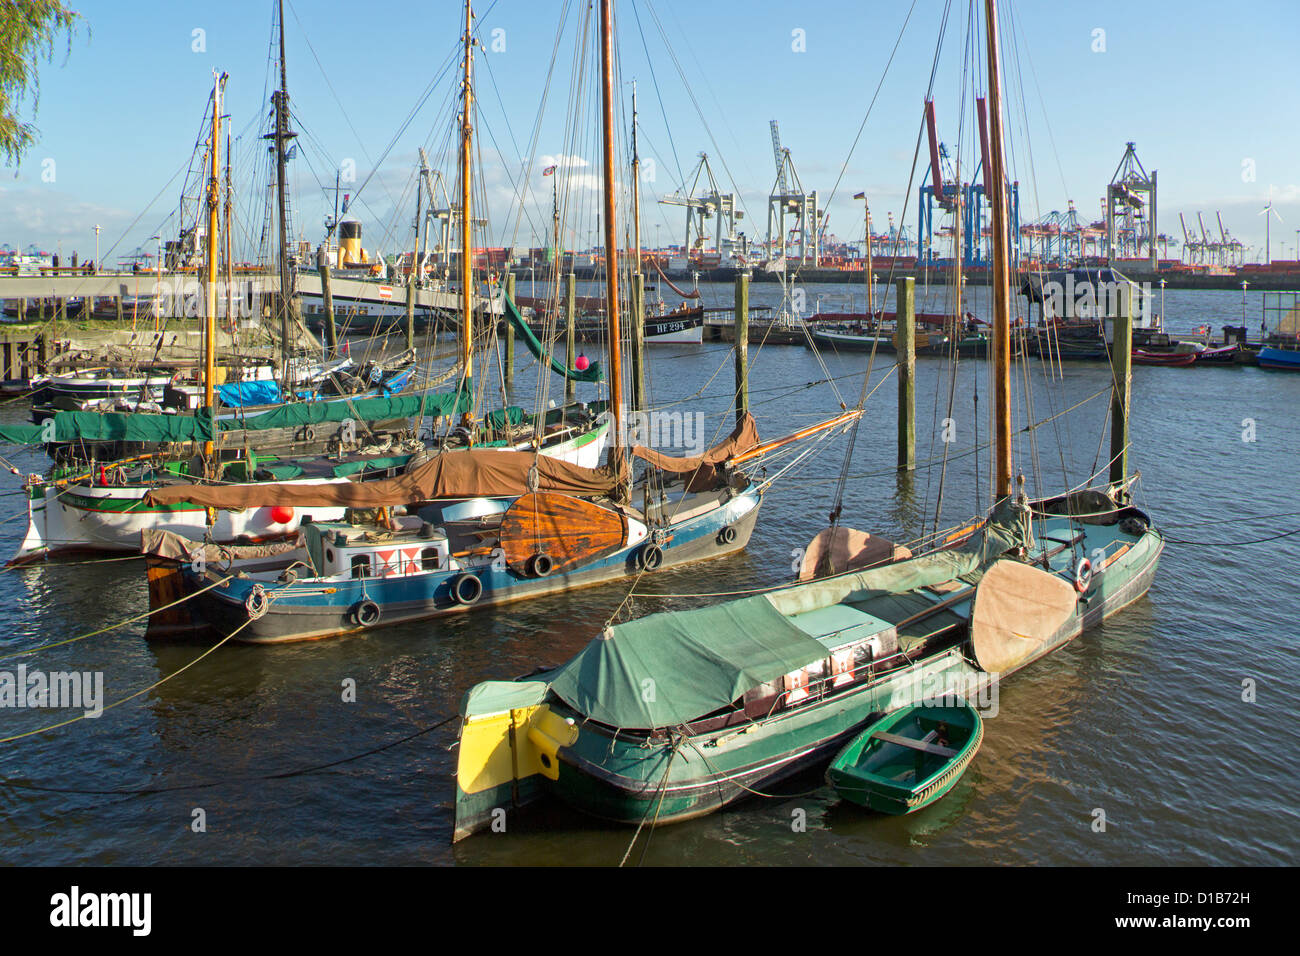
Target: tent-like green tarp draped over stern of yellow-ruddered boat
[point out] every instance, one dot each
(677, 667)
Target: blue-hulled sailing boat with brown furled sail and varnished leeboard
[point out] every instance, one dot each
(486, 526)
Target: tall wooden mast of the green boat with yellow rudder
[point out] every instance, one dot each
(1002, 270)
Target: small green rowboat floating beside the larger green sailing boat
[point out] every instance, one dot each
(908, 759)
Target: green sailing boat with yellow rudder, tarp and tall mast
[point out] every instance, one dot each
(749, 693)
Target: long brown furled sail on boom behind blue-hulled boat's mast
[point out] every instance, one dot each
(466, 474)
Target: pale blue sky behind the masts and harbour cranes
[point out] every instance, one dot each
(1206, 92)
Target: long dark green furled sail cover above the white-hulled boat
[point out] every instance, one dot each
(146, 427)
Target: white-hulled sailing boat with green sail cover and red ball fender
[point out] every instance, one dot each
(97, 504)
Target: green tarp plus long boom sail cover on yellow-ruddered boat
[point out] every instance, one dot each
(678, 667)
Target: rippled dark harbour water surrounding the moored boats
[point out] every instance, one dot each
(1142, 719)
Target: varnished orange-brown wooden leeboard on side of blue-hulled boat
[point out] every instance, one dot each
(570, 531)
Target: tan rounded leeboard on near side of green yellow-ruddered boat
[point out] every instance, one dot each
(1019, 611)
